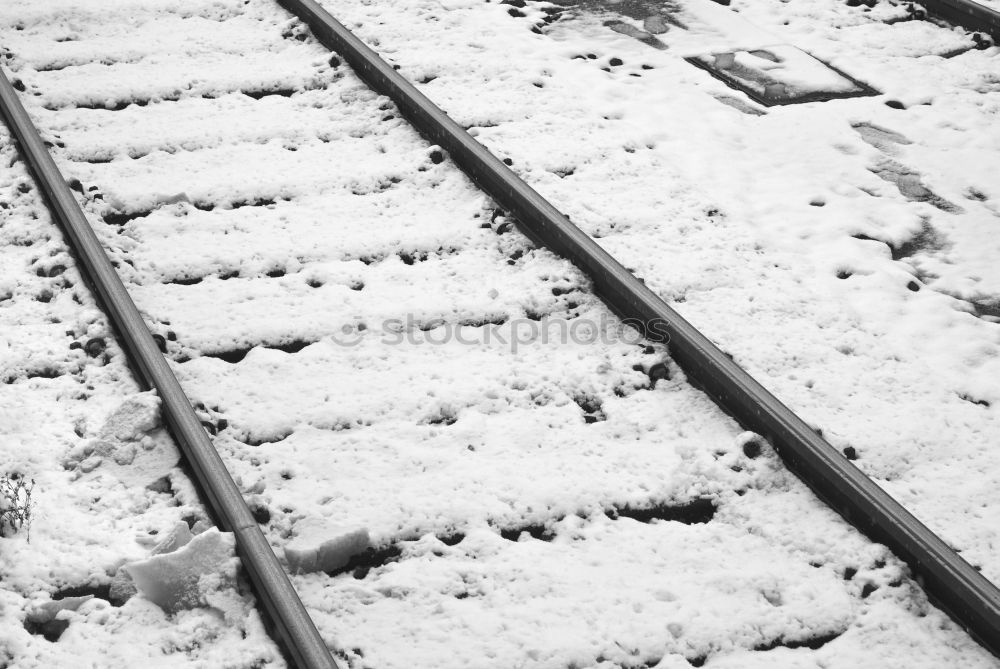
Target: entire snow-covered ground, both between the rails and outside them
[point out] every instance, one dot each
(536, 502)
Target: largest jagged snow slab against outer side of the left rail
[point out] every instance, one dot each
(181, 579)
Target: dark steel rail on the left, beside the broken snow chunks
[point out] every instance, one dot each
(223, 498)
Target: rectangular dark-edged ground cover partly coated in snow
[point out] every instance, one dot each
(781, 75)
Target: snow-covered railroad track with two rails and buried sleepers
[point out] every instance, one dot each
(338, 216)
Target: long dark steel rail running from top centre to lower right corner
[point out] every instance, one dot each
(956, 586)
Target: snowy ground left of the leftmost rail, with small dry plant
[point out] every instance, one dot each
(107, 482)
